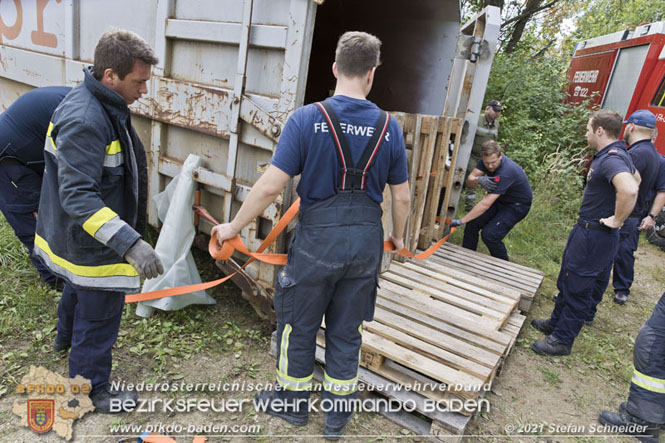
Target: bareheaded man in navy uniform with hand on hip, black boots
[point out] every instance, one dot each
(609, 198)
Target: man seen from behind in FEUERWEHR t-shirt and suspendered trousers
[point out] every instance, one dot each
(345, 149)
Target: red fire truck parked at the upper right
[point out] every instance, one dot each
(624, 71)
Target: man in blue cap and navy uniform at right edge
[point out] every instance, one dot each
(647, 160)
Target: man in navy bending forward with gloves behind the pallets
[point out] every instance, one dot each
(507, 201)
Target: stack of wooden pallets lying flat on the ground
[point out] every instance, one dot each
(437, 326)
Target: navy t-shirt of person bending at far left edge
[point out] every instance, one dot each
(23, 125)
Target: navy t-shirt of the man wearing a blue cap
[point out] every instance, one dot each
(647, 161)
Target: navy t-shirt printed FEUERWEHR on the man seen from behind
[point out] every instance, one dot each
(306, 148)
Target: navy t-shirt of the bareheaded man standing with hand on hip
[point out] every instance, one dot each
(600, 195)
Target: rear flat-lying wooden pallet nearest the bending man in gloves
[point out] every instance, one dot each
(503, 275)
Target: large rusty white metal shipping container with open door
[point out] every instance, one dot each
(232, 71)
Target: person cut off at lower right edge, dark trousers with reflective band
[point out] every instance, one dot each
(646, 400)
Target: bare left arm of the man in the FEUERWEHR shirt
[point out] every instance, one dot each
(265, 191)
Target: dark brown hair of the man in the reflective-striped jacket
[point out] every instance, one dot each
(119, 49)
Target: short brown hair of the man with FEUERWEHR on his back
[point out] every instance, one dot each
(357, 52)
